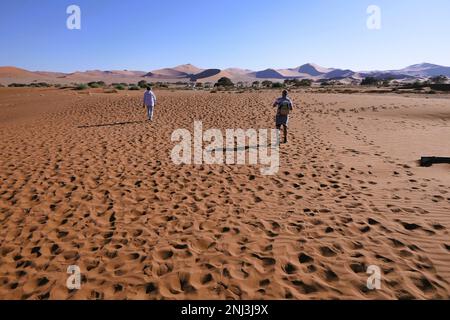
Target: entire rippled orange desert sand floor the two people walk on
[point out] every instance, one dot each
(86, 181)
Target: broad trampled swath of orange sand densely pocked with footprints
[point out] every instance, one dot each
(139, 227)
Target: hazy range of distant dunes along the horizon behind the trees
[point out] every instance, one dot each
(189, 72)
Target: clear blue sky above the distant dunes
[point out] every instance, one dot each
(252, 34)
